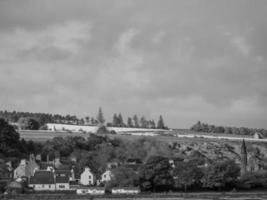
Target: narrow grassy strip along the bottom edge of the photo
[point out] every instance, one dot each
(169, 196)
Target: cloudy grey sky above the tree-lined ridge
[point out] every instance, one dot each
(185, 60)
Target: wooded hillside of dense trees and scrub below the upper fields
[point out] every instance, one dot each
(164, 166)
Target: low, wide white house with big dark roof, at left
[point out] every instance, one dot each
(43, 180)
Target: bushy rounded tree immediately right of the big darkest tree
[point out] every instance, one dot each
(187, 174)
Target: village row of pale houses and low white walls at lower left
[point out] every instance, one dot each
(49, 176)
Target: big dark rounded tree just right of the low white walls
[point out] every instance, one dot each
(155, 174)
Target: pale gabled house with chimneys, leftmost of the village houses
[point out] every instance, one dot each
(26, 168)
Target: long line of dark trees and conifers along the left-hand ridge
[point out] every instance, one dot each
(34, 121)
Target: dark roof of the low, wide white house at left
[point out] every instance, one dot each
(42, 177)
